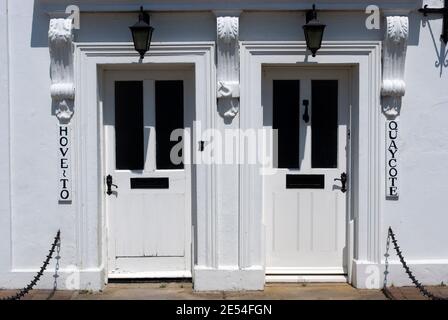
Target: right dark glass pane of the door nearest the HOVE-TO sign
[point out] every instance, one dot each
(169, 117)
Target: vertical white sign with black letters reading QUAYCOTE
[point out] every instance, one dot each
(392, 177)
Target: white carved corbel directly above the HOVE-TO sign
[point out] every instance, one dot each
(60, 37)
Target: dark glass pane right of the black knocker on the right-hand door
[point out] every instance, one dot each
(324, 124)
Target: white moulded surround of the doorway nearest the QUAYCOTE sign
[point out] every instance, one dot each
(364, 59)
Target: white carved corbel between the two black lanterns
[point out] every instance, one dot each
(228, 69)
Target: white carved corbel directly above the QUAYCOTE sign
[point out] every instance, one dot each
(394, 58)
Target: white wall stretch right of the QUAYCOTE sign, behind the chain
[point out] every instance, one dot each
(419, 217)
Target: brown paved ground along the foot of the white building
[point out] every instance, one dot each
(175, 291)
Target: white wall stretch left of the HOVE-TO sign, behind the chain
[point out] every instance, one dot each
(35, 216)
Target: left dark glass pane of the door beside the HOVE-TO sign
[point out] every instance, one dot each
(129, 125)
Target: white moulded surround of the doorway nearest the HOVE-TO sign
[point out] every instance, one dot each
(91, 59)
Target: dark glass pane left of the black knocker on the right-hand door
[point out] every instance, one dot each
(286, 119)
